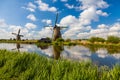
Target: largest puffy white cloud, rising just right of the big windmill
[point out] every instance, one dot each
(78, 25)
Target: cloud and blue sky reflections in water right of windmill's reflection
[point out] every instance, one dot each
(99, 57)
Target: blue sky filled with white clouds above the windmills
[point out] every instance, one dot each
(83, 18)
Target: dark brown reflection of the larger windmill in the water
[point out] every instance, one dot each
(57, 51)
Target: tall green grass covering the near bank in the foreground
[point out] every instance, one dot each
(31, 66)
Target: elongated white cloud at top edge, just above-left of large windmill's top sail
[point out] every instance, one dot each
(45, 7)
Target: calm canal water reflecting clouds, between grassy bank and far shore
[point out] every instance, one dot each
(98, 56)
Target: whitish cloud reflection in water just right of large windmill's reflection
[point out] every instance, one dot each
(78, 53)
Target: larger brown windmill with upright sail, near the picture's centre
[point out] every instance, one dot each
(56, 30)
